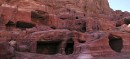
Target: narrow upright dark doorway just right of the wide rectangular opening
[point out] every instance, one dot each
(69, 47)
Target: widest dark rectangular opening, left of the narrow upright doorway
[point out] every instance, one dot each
(50, 47)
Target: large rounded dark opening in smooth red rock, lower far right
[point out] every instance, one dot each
(116, 43)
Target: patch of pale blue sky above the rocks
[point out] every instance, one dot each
(123, 5)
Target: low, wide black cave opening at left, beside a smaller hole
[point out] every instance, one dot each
(20, 24)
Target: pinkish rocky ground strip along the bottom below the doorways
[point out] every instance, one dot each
(24, 55)
